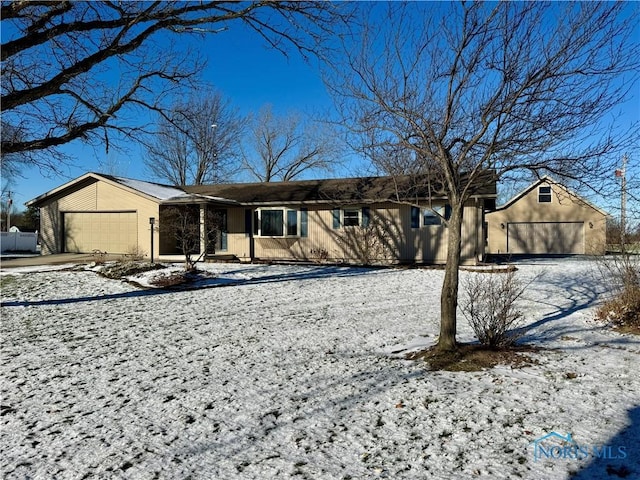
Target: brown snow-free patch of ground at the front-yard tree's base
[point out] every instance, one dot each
(474, 358)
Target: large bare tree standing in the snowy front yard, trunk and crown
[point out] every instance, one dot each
(470, 88)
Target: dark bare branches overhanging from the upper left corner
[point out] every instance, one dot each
(88, 71)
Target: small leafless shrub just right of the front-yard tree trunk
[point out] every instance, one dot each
(490, 307)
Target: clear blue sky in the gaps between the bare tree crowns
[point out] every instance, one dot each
(250, 74)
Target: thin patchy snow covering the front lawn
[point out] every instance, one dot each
(287, 371)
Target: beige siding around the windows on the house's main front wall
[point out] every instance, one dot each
(395, 240)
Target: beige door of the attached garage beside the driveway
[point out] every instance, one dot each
(112, 232)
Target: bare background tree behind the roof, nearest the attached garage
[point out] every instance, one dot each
(197, 142)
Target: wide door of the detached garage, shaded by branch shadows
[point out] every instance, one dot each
(545, 238)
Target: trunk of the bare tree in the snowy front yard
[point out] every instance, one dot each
(449, 296)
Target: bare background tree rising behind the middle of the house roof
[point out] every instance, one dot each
(283, 148)
